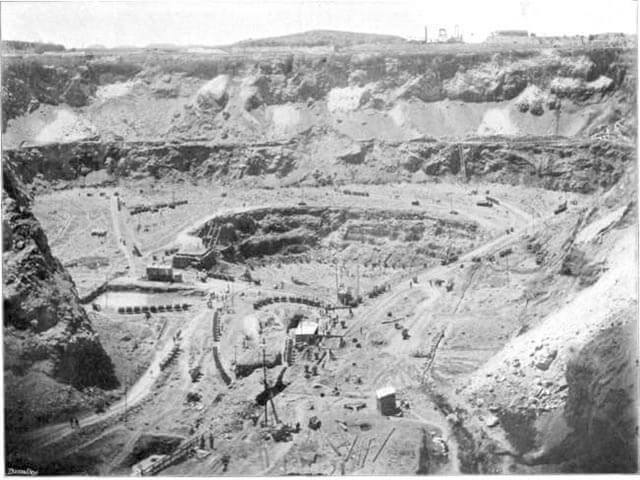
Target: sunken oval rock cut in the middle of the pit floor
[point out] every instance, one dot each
(389, 237)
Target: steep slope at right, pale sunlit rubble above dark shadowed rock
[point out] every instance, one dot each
(565, 389)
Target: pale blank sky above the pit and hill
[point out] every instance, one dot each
(115, 23)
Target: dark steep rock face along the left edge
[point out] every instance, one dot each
(46, 331)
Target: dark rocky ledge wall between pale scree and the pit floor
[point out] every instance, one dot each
(579, 165)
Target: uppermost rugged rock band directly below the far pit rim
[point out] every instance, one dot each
(430, 76)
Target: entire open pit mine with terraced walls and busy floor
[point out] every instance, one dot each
(365, 257)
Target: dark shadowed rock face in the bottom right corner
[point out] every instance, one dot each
(601, 404)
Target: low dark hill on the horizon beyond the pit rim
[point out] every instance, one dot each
(315, 38)
